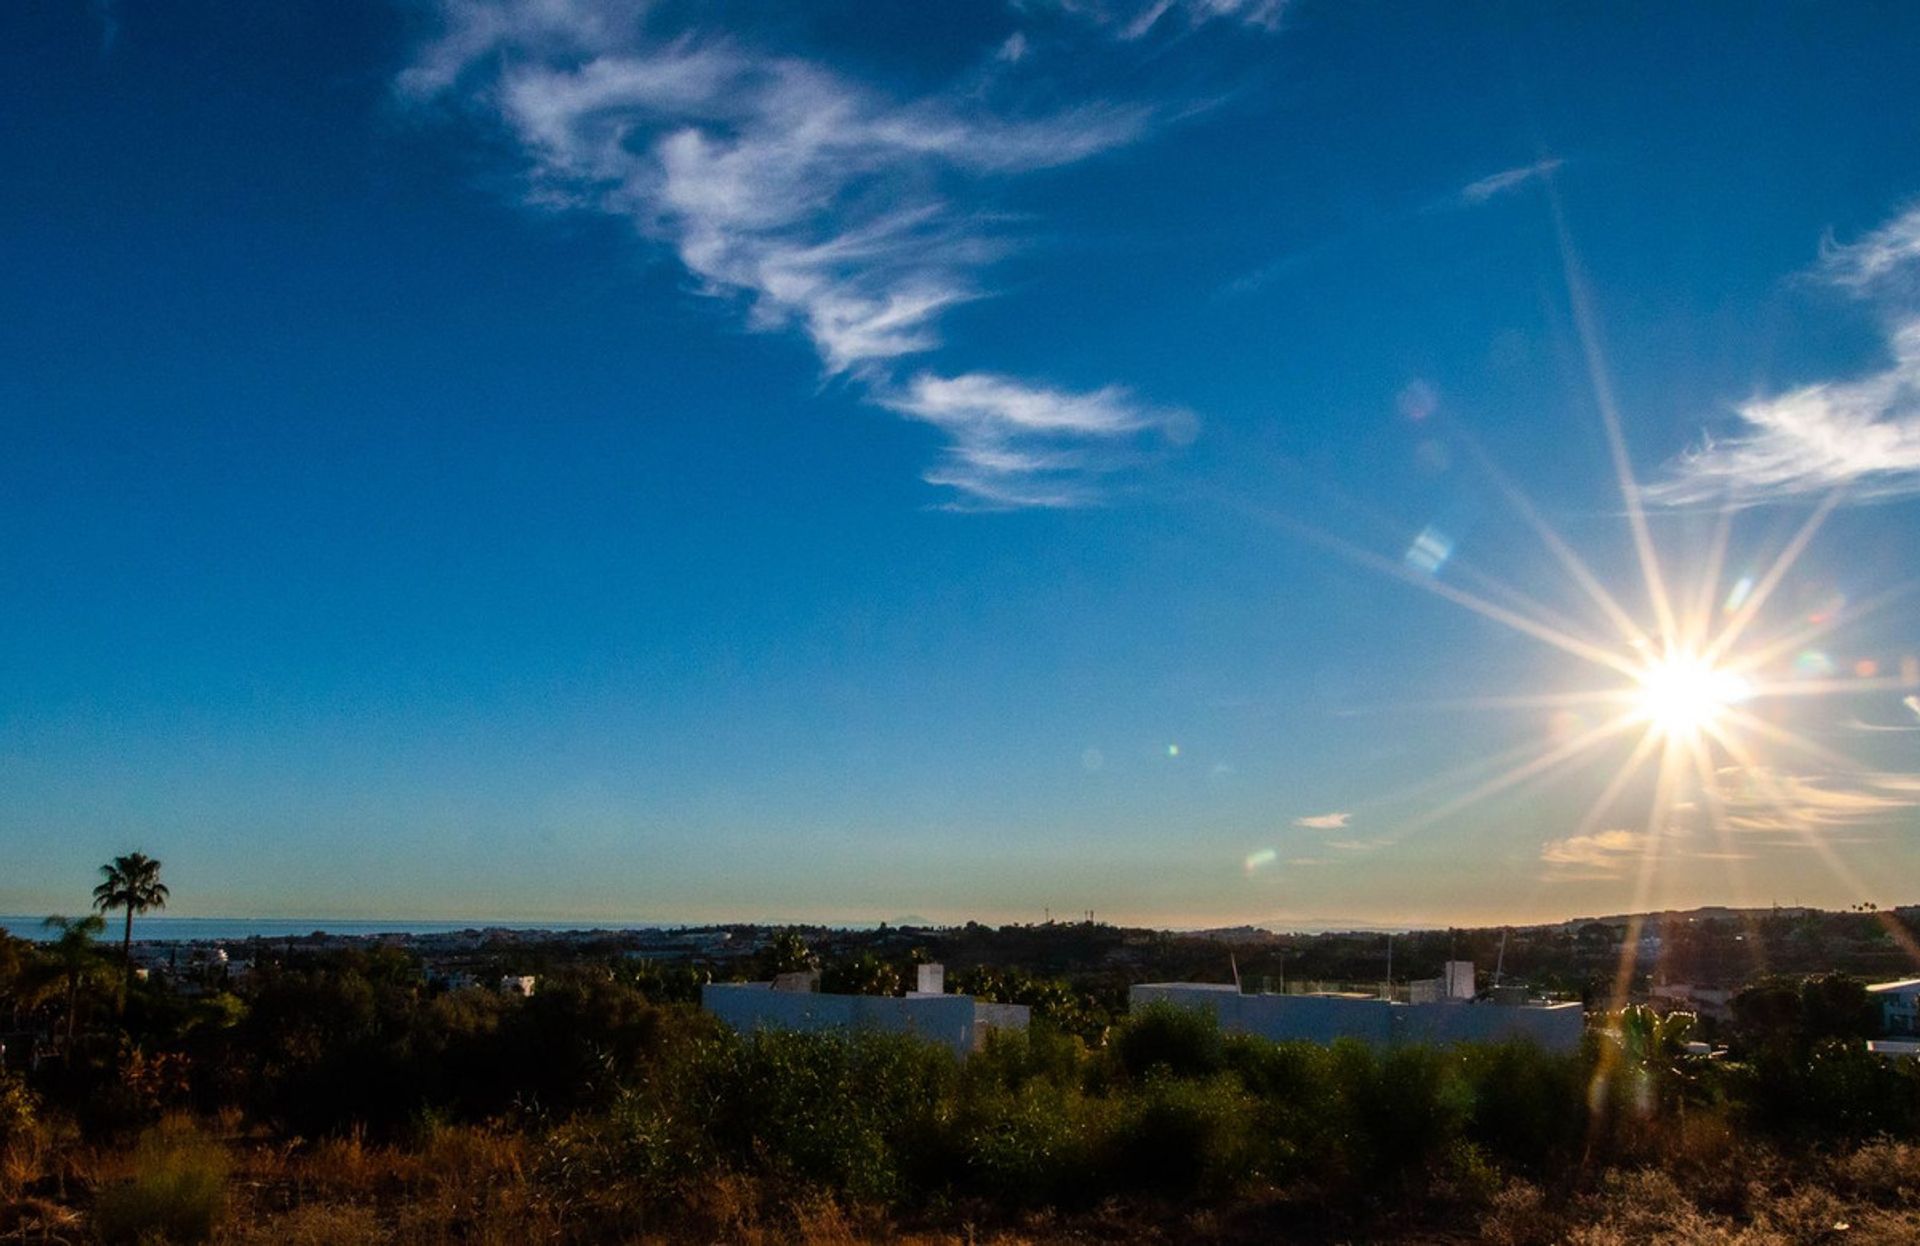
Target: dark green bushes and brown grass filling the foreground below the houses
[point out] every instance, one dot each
(350, 1097)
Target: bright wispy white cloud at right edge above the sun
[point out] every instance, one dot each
(1861, 435)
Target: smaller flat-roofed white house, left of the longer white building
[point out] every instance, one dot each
(953, 1020)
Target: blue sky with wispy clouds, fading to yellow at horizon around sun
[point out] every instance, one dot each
(855, 460)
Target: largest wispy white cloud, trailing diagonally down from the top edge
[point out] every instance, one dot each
(821, 204)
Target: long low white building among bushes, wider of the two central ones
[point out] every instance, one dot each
(1324, 1018)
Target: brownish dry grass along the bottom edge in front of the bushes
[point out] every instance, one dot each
(479, 1186)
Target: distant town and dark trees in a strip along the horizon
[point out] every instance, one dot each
(1675, 959)
